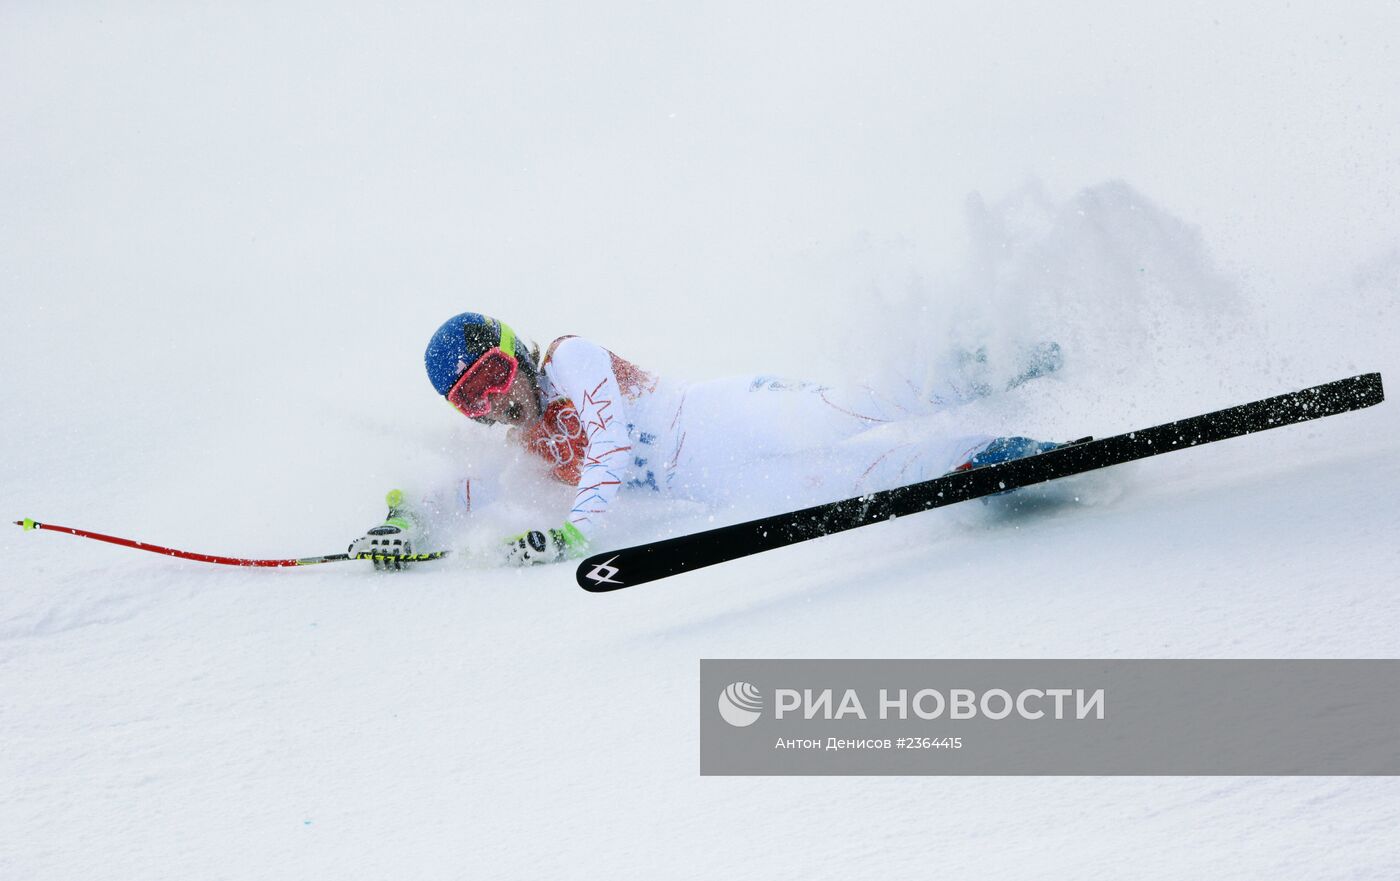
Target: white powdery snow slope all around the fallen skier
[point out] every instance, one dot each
(227, 233)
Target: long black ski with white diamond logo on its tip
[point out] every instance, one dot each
(631, 567)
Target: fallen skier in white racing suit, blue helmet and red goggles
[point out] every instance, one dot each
(604, 425)
